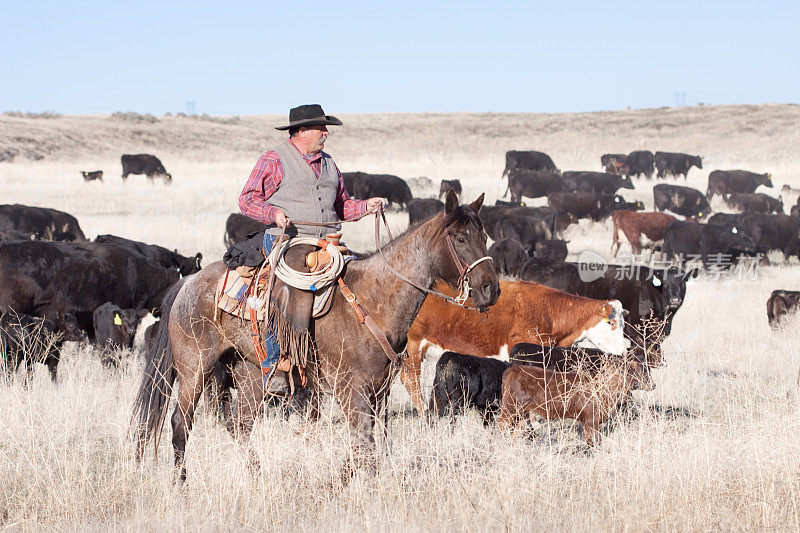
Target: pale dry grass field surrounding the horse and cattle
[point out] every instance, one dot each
(715, 446)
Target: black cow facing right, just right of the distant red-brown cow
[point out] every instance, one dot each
(715, 245)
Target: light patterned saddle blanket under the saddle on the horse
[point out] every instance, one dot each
(233, 297)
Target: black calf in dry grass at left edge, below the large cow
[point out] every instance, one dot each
(34, 339)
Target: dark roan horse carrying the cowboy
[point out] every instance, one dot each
(347, 361)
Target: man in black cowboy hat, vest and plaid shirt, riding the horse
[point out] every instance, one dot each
(296, 180)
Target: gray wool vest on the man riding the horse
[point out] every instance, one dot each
(304, 197)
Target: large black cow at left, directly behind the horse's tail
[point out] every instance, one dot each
(50, 279)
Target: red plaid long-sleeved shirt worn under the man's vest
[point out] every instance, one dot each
(265, 179)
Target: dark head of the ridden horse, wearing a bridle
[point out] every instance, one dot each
(464, 255)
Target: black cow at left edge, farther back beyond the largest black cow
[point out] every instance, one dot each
(40, 223)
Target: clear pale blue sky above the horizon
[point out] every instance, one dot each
(264, 57)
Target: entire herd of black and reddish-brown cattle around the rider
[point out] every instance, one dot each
(576, 345)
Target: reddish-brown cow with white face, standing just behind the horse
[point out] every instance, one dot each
(525, 312)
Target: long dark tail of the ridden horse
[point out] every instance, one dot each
(150, 406)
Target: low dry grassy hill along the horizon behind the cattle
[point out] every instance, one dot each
(722, 130)
